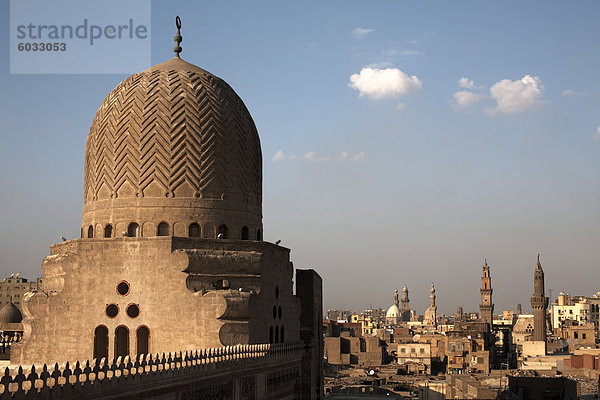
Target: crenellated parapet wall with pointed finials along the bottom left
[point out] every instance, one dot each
(261, 371)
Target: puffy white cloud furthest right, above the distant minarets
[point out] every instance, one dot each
(515, 96)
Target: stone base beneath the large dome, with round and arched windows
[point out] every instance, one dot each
(190, 294)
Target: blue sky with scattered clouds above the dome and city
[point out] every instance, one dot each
(382, 167)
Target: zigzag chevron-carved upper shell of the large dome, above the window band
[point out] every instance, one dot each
(173, 125)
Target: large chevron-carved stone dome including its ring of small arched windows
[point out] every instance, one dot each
(173, 151)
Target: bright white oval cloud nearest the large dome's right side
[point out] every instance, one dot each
(379, 83)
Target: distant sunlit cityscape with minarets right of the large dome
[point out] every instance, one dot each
(470, 342)
